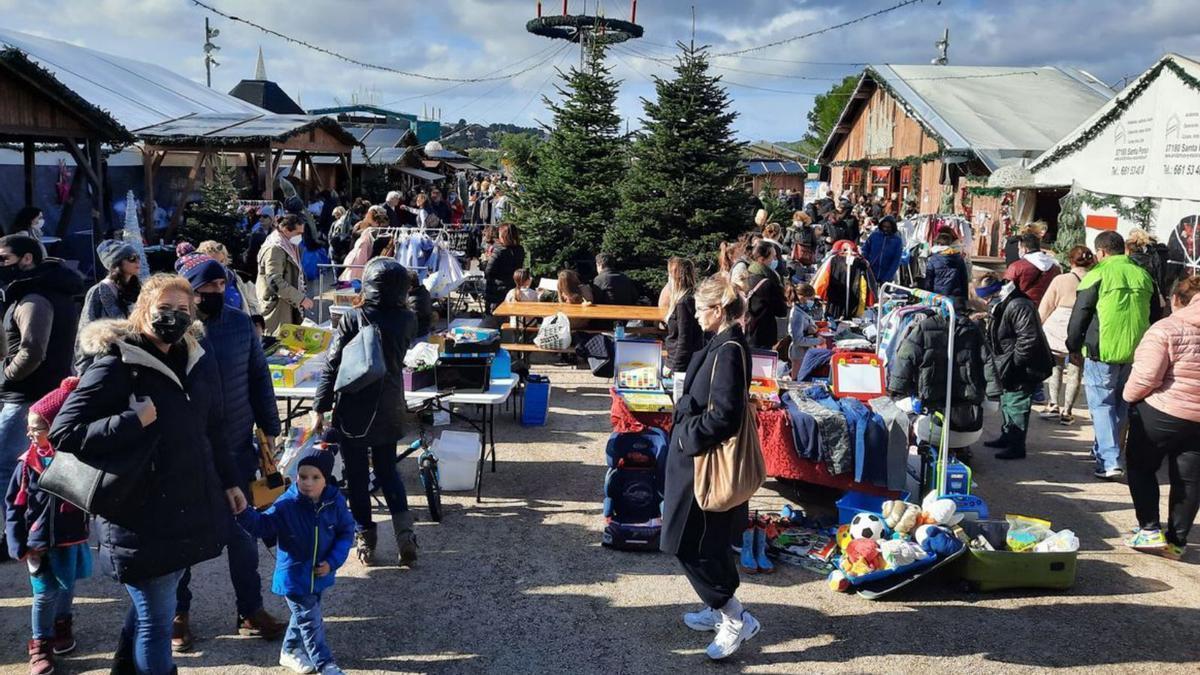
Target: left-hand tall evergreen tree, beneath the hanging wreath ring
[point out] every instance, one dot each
(573, 196)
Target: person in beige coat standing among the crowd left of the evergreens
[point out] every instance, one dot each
(280, 285)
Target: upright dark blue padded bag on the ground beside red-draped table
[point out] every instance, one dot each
(633, 505)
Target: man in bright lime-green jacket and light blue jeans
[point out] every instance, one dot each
(1115, 306)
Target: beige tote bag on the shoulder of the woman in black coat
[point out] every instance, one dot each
(729, 475)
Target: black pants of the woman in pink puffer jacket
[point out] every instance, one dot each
(1155, 437)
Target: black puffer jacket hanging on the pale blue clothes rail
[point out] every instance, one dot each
(920, 366)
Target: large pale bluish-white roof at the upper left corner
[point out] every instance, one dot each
(135, 93)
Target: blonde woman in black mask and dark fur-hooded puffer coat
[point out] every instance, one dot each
(153, 389)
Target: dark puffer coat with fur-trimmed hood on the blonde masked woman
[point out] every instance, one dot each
(181, 516)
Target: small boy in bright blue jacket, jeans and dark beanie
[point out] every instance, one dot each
(315, 533)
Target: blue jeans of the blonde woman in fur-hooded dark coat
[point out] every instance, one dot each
(148, 624)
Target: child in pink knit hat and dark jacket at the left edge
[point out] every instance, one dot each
(50, 535)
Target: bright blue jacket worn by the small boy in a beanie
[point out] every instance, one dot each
(309, 534)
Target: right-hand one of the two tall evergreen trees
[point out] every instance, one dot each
(685, 194)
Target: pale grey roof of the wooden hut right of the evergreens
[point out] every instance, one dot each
(1001, 115)
